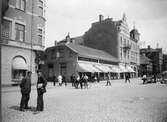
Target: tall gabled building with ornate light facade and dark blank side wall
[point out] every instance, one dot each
(115, 38)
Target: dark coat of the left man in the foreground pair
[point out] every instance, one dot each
(25, 85)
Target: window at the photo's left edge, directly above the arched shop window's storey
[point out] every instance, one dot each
(6, 29)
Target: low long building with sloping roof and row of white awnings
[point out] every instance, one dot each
(67, 59)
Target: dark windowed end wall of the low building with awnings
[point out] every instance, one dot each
(69, 59)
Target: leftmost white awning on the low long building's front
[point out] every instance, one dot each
(86, 67)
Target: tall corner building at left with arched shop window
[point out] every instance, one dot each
(22, 37)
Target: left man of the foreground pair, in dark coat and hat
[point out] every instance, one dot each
(25, 86)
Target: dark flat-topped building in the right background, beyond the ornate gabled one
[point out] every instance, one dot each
(156, 56)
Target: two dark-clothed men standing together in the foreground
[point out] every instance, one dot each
(25, 87)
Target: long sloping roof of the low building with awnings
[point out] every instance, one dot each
(92, 53)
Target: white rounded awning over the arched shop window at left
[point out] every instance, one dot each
(19, 64)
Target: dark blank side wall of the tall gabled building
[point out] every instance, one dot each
(102, 36)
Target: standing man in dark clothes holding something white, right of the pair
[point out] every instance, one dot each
(41, 89)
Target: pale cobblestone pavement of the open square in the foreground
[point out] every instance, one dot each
(120, 102)
